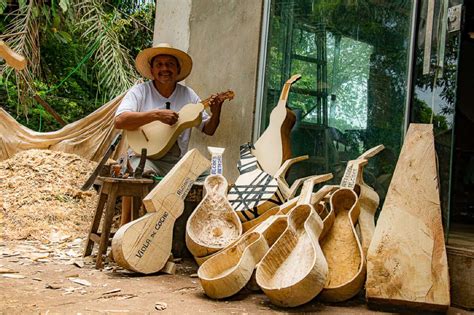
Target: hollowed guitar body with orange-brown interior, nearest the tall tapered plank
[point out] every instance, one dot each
(342, 249)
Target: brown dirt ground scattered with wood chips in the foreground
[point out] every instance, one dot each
(49, 279)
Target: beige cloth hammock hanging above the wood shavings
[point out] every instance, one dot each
(88, 137)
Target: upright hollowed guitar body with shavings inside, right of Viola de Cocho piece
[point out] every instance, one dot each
(213, 224)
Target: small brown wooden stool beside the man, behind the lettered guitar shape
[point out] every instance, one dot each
(111, 189)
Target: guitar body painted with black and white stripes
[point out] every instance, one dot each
(255, 191)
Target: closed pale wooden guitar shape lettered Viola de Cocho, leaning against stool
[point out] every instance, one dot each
(144, 245)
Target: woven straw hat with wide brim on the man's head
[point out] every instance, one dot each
(143, 60)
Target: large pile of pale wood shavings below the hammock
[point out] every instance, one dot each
(40, 195)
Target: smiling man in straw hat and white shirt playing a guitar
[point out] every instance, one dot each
(161, 99)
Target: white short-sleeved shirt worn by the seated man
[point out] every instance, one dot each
(145, 97)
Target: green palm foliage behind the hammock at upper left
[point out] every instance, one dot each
(72, 79)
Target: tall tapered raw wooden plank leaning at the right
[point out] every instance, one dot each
(406, 261)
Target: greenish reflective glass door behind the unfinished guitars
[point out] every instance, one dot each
(353, 57)
